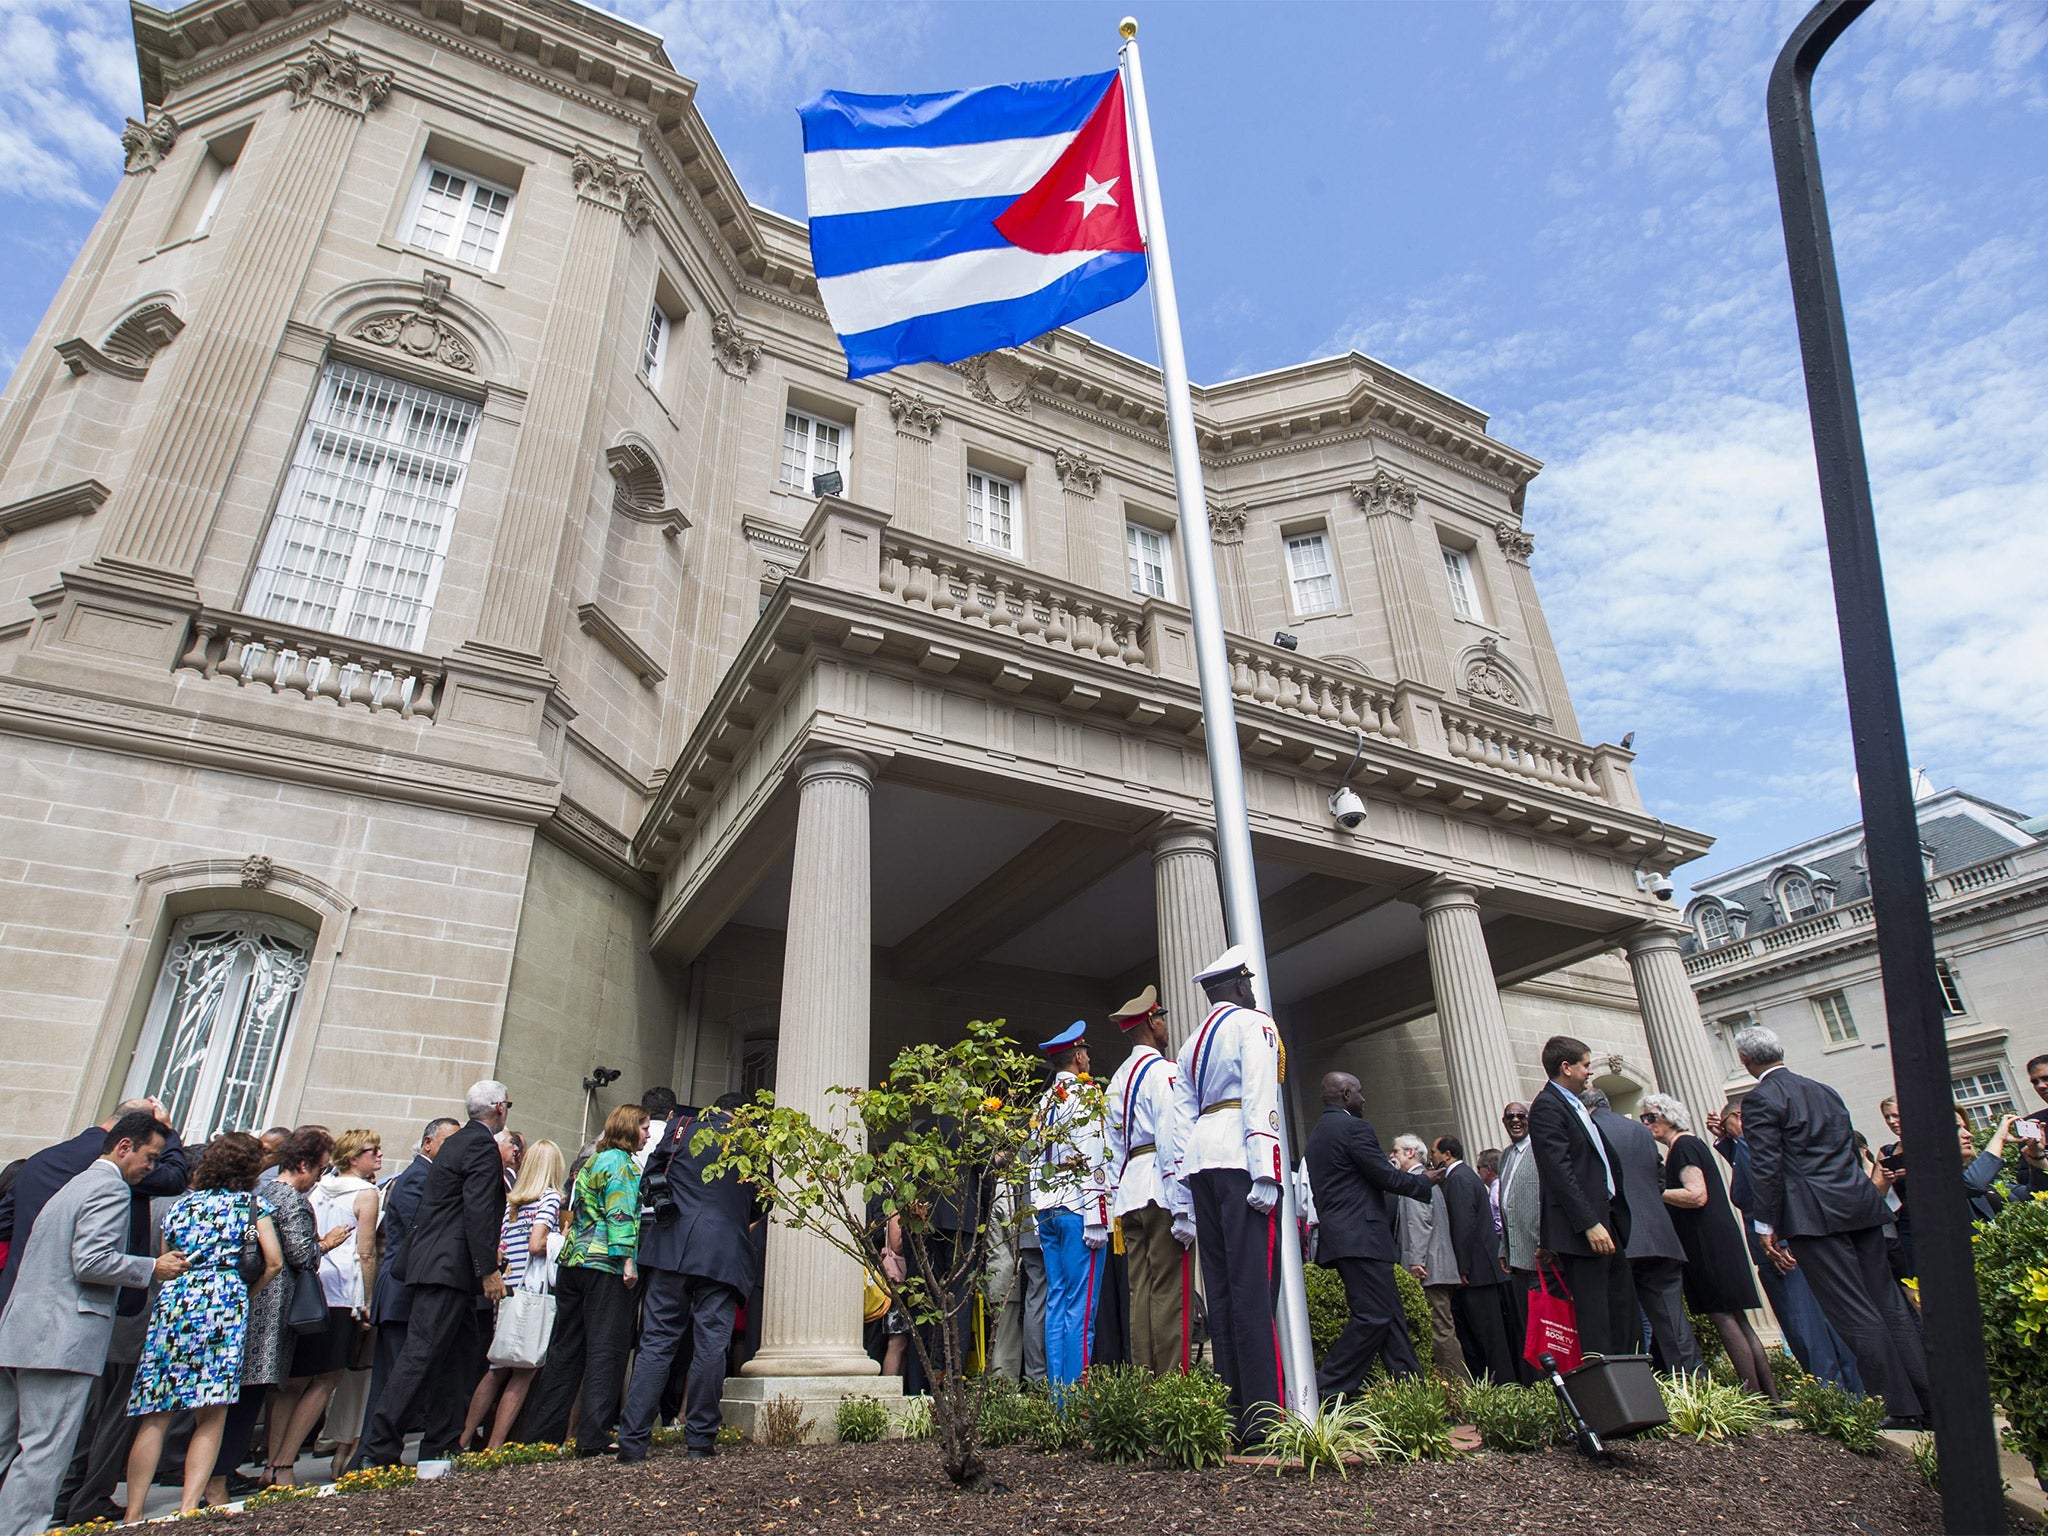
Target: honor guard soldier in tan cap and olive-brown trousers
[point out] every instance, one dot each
(1150, 1197)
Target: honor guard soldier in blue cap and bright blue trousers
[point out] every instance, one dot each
(1074, 1207)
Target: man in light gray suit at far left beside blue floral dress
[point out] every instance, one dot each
(62, 1314)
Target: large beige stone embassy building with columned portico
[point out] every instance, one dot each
(423, 654)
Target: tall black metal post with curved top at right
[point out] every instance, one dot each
(1961, 1408)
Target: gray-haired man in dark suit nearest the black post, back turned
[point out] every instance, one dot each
(1811, 1195)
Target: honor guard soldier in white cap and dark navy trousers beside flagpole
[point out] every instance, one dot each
(1230, 1089)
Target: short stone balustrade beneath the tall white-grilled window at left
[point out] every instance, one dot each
(310, 665)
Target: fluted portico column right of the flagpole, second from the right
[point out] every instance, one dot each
(1478, 1054)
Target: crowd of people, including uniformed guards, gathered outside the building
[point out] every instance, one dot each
(224, 1308)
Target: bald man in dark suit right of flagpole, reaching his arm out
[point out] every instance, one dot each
(1353, 1179)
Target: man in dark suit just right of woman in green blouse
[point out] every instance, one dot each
(697, 1265)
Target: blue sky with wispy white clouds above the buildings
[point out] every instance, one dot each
(1564, 214)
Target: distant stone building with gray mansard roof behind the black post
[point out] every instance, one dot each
(1789, 943)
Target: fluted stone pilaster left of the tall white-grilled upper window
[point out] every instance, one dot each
(159, 519)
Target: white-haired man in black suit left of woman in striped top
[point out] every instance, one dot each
(452, 1256)
